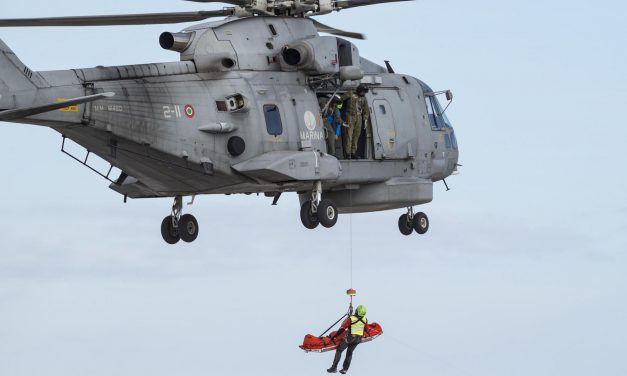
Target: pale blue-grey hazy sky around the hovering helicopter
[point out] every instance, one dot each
(522, 271)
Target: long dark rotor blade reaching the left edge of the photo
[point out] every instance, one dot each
(121, 19)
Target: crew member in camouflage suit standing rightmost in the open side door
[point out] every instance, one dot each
(357, 115)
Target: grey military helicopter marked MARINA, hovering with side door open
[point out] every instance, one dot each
(240, 113)
